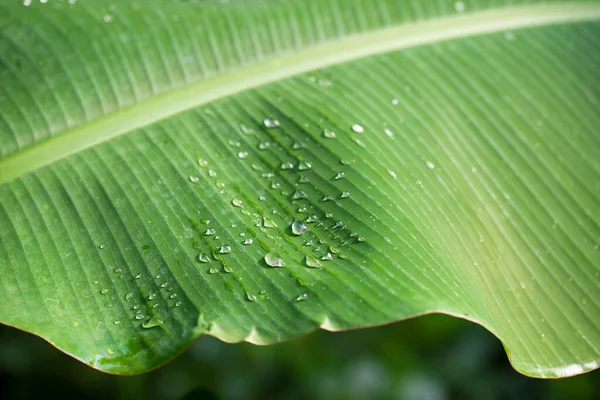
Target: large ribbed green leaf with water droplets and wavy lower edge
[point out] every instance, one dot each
(438, 157)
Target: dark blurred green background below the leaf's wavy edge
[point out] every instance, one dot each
(432, 357)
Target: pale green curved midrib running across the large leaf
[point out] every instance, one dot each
(275, 68)
